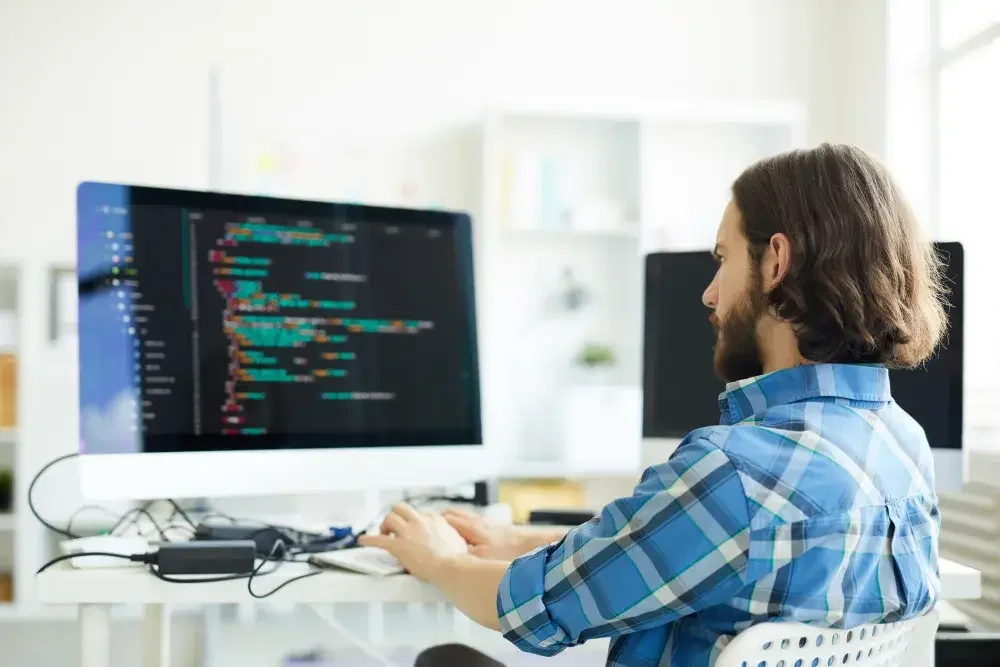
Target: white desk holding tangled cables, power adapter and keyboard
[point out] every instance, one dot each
(95, 590)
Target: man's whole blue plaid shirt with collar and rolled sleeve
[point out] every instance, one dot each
(813, 501)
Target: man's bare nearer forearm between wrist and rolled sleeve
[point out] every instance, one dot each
(471, 585)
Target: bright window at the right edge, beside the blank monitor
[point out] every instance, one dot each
(965, 73)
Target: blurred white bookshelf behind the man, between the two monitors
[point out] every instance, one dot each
(592, 186)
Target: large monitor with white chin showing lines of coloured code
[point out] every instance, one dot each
(233, 344)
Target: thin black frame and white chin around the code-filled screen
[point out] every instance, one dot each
(103, 475)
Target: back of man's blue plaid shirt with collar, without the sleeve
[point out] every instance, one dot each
(842, 508)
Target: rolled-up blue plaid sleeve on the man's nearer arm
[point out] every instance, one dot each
(679, 544)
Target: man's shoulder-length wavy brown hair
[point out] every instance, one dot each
(864, 285)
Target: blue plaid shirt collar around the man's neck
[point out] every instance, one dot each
(752, 397)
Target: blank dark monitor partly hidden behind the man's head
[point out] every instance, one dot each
(680, 389)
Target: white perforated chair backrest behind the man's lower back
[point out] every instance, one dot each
(798, 645)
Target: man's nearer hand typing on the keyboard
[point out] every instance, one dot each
(422, 543)
